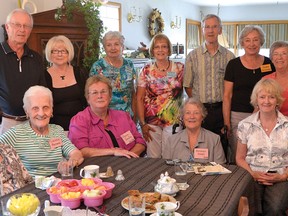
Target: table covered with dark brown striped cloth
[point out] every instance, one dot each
(209, 195)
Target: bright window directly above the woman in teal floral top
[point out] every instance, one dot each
(110, 14)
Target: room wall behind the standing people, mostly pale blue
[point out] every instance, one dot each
(137, 32)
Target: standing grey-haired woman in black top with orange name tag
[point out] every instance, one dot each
(241, 74)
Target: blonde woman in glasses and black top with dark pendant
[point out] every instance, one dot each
(65, 81)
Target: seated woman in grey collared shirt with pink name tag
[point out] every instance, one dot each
(194, 143)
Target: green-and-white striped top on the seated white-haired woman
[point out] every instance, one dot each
(34, 150)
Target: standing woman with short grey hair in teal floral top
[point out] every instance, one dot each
(119, 71)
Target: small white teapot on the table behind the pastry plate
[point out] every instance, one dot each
(166, 185)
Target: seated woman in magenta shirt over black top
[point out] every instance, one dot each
(98, 130)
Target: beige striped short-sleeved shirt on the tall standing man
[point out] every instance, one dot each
(204, 73)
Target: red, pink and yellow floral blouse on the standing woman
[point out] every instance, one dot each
(163, 96)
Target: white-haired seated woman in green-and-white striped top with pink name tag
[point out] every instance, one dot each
(40, 145)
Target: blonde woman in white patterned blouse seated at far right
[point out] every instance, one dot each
(262, 149)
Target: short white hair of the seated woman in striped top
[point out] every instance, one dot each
(39, 91)
